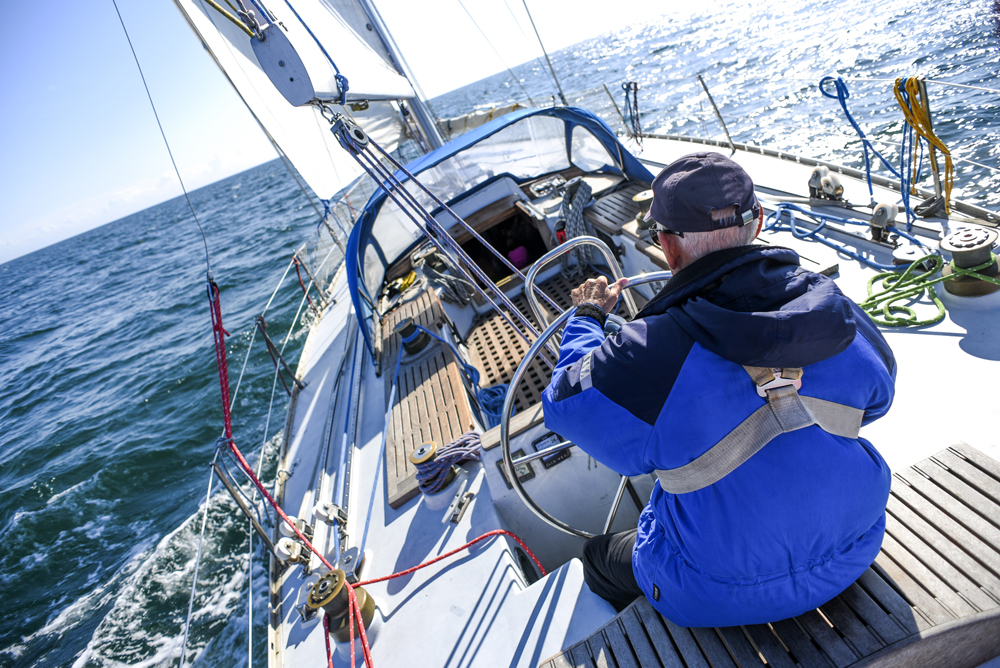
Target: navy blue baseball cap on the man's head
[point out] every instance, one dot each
(688, 190)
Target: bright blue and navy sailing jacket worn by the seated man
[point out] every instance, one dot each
(800, 520)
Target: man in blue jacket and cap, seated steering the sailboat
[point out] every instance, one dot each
(741, 386)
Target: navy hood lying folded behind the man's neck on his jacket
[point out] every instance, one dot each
(755, 306)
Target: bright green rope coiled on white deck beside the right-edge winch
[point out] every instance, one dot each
(910, 286)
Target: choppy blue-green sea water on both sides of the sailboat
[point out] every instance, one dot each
(109, 403)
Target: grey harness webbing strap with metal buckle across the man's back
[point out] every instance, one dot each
(785, 411)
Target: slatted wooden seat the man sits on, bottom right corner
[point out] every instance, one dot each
(934, 588)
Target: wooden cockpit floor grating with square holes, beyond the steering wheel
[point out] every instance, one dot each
(496, 349)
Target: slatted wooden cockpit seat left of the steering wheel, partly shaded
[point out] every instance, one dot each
(431, 401)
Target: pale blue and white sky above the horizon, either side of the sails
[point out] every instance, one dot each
(80, 143)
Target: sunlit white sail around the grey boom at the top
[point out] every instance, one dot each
(301, 131)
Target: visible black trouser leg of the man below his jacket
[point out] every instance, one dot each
(607, 568)
